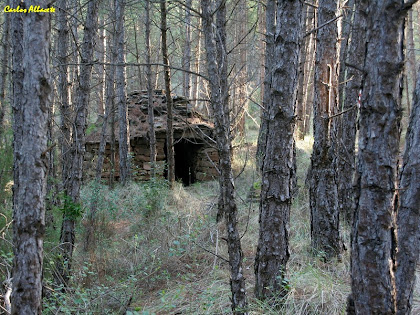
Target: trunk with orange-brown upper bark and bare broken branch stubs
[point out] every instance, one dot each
(325, 237)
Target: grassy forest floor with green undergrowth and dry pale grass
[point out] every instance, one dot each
(156, 251)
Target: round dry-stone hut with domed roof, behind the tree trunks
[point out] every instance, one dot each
(195, 154)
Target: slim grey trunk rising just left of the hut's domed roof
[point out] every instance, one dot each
(124, 137)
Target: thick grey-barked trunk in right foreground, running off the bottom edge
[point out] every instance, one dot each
(373, 236)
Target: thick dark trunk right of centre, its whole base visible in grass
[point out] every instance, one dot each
(278, 169)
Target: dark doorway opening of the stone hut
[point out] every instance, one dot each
(186, 158)
